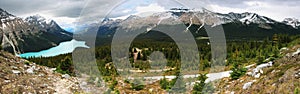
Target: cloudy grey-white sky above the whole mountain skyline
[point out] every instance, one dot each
(67, 12)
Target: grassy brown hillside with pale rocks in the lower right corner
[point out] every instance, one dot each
(281, 77)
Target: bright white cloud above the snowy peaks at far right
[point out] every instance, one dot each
(275, 11)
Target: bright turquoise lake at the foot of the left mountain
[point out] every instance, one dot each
(62, 48)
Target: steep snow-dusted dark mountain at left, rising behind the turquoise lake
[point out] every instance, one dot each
(31, 34)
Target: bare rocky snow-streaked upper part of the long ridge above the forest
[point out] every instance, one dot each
(199, 17)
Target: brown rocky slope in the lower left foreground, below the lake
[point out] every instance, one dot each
(19, 76)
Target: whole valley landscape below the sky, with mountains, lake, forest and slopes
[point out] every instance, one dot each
(232, 53)
